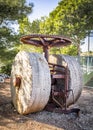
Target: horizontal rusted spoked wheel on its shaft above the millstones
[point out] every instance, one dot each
(46, 41)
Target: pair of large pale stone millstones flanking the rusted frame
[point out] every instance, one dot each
(35, 87)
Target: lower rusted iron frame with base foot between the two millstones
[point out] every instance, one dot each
(64, 94)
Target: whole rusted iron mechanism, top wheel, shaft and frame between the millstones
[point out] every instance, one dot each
(60, 73)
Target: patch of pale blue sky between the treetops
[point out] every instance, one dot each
(42, 8)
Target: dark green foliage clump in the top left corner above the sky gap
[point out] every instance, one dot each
(14, 10)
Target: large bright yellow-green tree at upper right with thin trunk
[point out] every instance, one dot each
(71, 18)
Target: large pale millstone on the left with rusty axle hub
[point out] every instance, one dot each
(33, 93)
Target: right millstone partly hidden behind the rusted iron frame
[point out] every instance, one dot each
(75, 75)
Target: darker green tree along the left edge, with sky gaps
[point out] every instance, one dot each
(11, 13)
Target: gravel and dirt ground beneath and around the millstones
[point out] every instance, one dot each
(44, 120)
